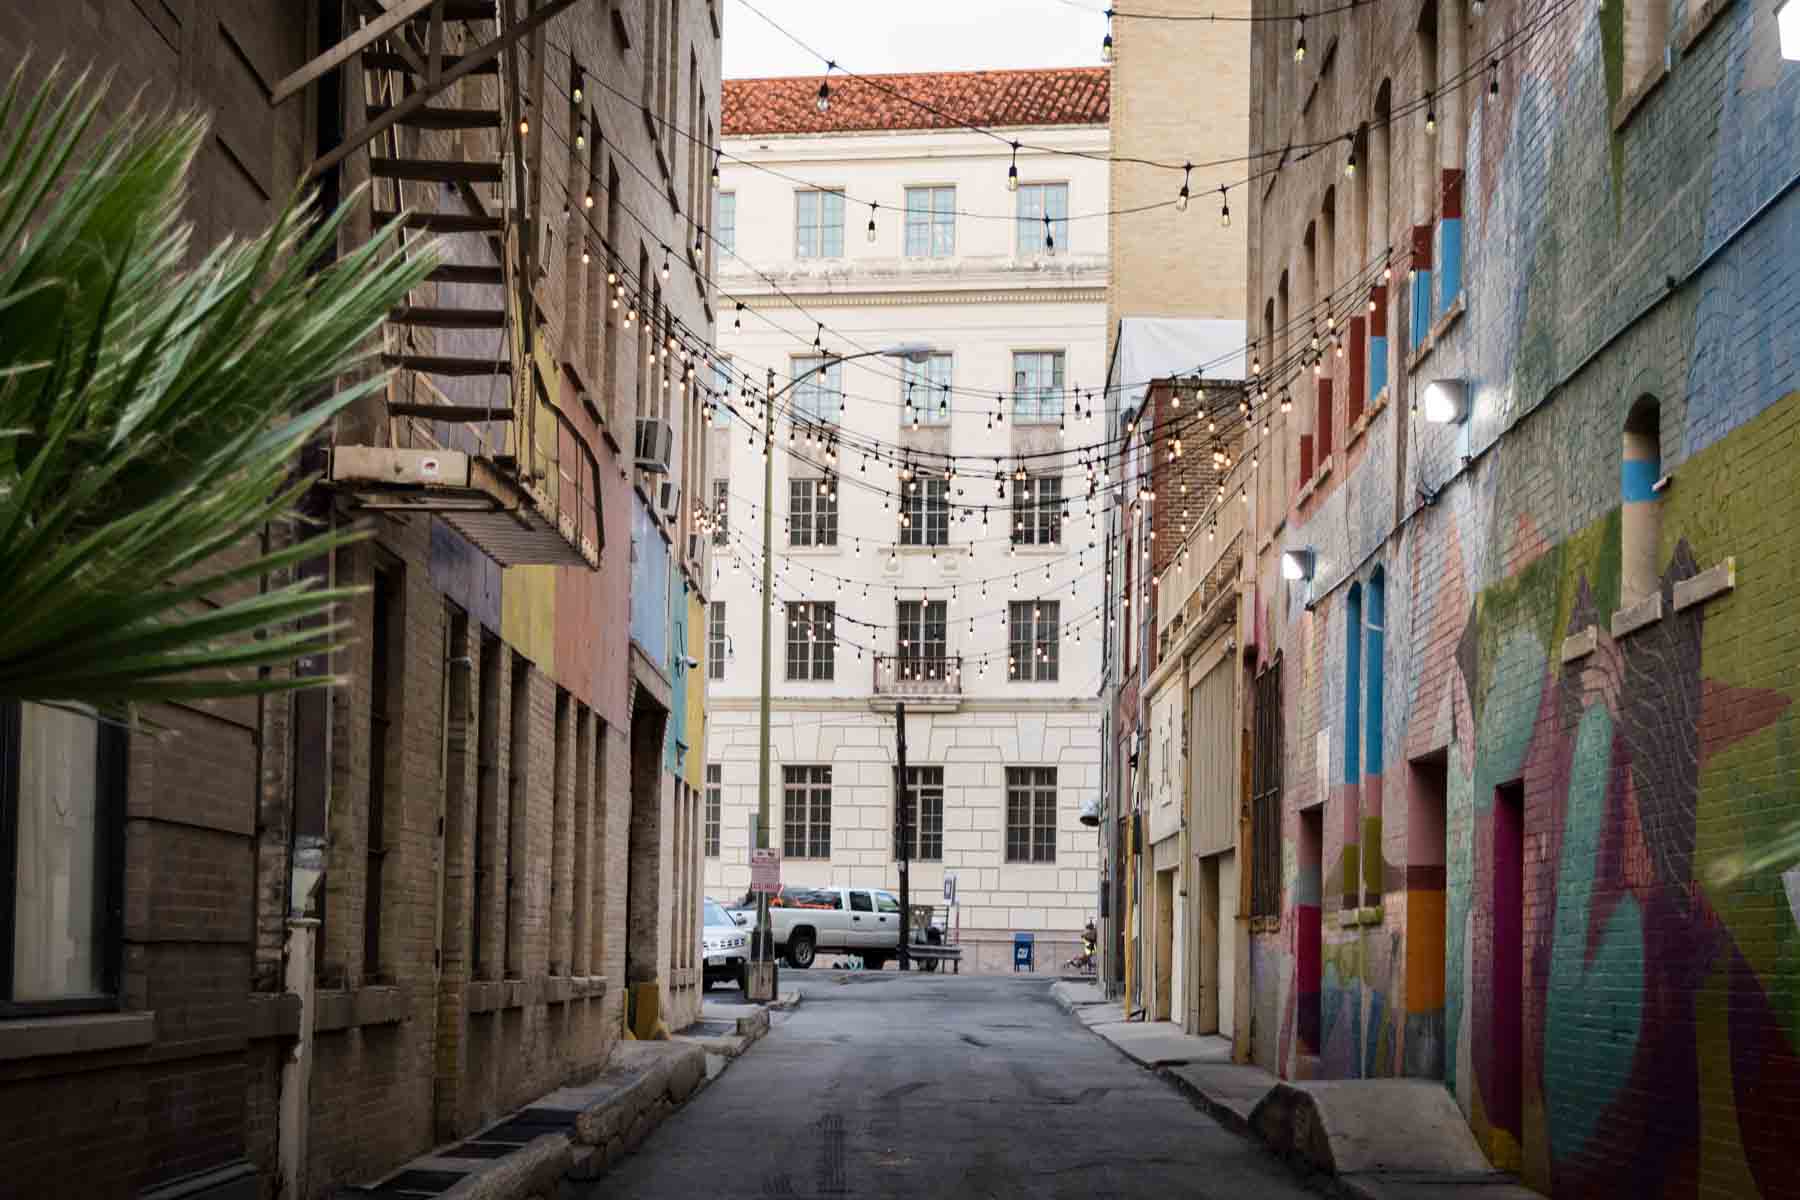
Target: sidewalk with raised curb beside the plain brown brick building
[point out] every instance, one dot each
(577, 1133)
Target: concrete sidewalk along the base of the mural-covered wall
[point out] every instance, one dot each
(1376, 1140)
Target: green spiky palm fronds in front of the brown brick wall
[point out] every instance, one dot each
(152, 415)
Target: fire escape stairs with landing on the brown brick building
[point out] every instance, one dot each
(469, 429)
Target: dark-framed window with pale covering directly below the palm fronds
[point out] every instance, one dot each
(62, 823)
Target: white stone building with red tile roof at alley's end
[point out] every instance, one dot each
(1003, 755)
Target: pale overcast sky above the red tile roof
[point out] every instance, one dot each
(870, 37)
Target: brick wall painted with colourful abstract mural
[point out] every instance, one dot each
(1540, 897)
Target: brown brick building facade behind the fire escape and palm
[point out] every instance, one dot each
(507, 832)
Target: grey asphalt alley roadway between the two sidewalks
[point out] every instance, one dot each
(928, 1086)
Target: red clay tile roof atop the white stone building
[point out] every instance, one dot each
(984, 98)
